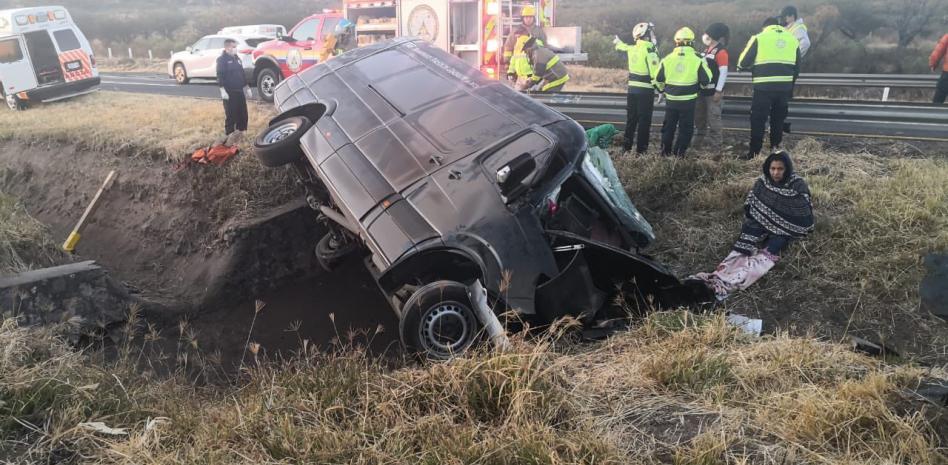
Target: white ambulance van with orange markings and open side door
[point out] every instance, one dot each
(44, 57)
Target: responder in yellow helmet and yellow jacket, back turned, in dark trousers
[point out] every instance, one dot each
(681, 75)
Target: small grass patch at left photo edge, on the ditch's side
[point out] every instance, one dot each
(24, 242)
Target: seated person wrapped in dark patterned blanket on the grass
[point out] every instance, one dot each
(776, 212)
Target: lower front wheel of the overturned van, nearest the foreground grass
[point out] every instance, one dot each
(438, 321)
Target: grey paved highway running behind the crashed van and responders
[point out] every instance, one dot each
(819, 118)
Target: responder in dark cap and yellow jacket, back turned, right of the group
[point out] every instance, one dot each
(773, 57)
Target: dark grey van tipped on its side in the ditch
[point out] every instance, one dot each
(446, 178)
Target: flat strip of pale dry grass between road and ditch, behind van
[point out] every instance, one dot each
(163, 127)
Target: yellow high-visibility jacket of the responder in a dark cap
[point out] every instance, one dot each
(776, 55)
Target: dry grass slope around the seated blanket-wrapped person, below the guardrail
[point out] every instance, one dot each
(877, 217)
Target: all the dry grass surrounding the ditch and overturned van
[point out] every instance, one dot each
(677, 389)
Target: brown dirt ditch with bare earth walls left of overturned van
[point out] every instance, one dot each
(168, 235)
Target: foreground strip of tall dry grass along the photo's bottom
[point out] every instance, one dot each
(730, 399)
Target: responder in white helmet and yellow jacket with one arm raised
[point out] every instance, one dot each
(643, 67)
